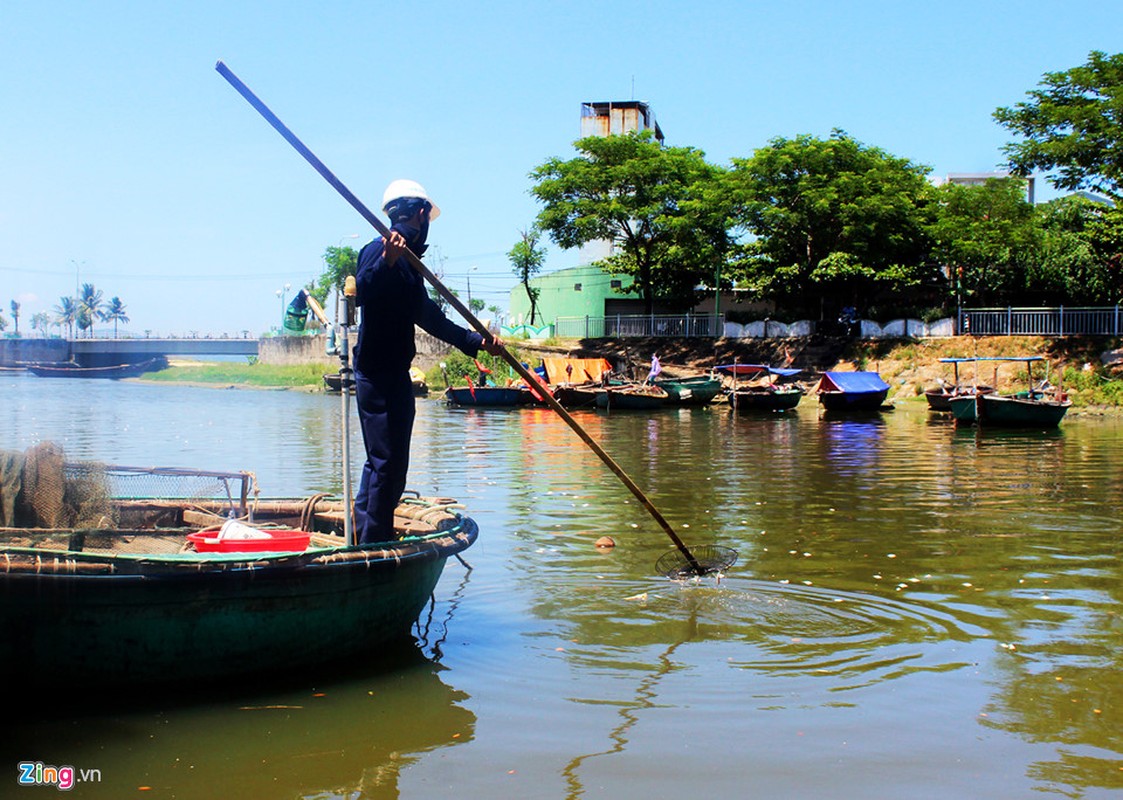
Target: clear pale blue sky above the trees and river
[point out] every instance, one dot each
(129, 162)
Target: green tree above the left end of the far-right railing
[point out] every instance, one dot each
(988, 237)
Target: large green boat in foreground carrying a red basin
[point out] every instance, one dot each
(133, 604)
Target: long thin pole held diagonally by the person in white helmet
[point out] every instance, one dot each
(462, 310)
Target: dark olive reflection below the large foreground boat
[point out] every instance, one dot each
(346, 737)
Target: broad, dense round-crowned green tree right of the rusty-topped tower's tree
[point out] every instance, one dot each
(829, 222)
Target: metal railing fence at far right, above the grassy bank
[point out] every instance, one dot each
(1040, 322)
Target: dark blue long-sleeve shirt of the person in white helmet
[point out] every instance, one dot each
(394, 301)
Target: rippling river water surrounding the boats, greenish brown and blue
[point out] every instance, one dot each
(917, 611)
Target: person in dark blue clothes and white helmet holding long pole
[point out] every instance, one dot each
(394, 298)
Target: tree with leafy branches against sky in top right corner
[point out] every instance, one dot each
(1073, 124)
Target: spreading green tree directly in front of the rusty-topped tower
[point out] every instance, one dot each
(644, 198)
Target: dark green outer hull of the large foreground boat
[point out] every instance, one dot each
(113, 621)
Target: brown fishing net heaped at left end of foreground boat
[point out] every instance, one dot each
(39, 489)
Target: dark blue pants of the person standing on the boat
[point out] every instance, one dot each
(386, 414)
